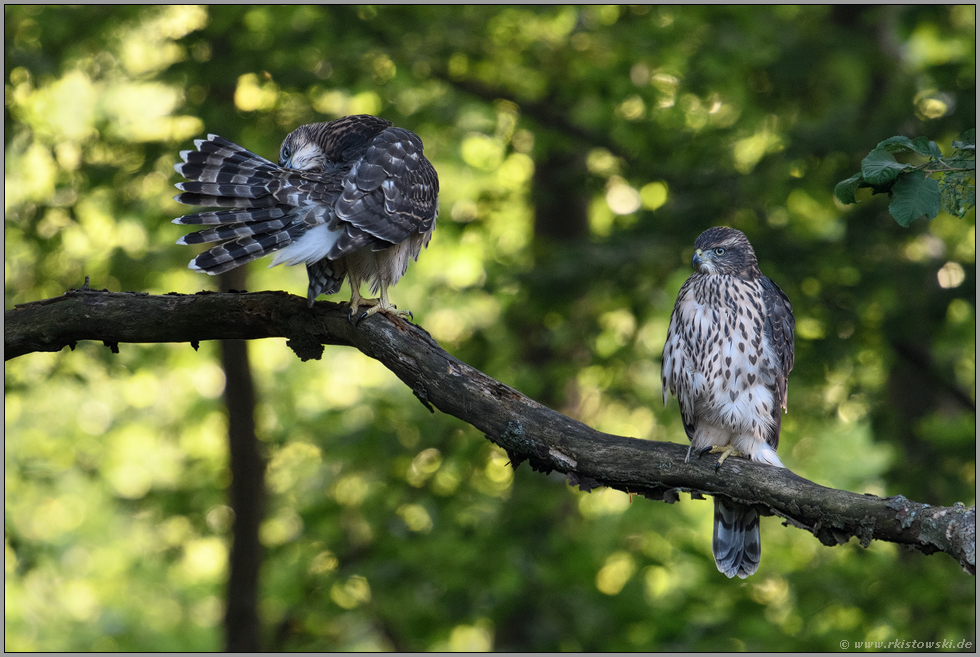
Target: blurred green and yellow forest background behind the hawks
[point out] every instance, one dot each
(580, 152)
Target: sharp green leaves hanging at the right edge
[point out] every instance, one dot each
(913, 191)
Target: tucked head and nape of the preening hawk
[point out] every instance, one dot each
(318, 147)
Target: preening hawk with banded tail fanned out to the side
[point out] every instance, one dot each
(351, 198)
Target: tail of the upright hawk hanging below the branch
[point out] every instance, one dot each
(736, 543)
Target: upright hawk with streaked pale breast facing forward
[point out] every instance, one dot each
(728, 355)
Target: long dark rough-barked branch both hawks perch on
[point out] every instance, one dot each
(528, 431)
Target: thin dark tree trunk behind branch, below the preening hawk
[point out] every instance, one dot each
(247, 491)
